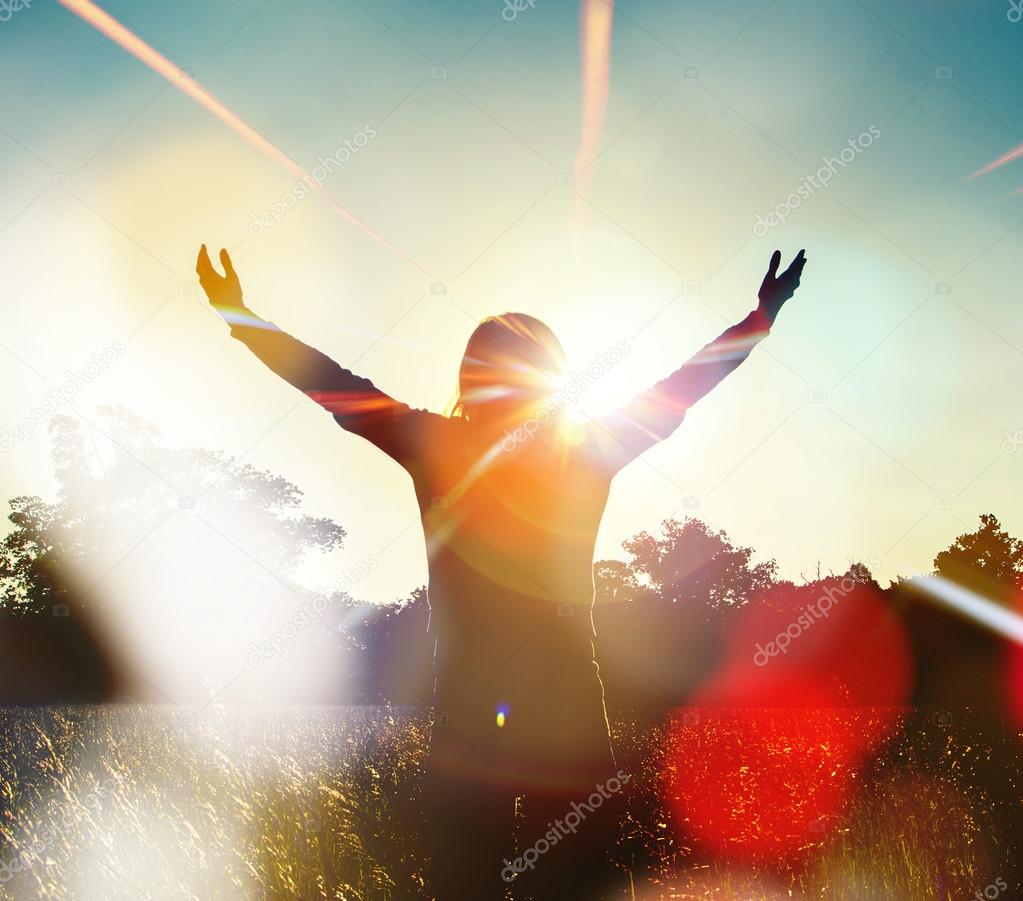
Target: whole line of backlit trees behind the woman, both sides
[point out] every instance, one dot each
(134, 516)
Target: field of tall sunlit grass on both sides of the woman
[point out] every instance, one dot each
(150, 802)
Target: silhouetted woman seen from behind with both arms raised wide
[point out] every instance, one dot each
(511, 497)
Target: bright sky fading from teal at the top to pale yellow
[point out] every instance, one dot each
(878, 421)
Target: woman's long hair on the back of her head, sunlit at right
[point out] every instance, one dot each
(512, 358)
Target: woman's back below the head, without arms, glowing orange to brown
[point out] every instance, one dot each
(511, 529)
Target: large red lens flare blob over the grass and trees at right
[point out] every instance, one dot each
(765, 762)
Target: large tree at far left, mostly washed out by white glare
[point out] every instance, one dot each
(185, 560)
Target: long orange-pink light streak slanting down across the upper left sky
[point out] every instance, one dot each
(129, 41)
